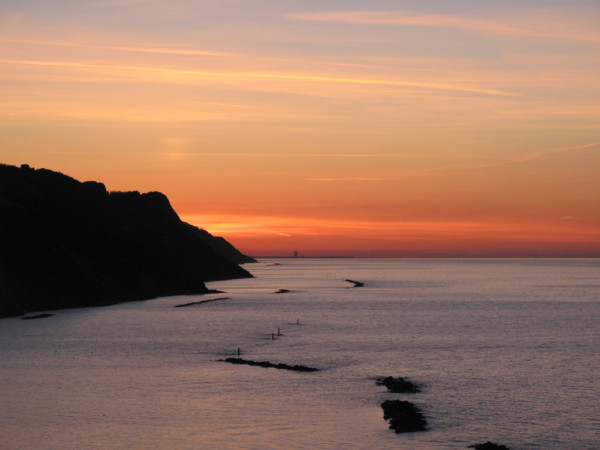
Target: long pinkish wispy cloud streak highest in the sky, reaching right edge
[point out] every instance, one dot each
(477, 25)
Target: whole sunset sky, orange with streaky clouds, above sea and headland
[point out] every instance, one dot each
(331, 128)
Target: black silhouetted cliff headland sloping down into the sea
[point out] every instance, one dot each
(68, 244)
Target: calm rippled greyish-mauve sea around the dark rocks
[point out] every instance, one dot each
(507, 351)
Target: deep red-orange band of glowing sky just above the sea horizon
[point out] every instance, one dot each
(321, 237)
